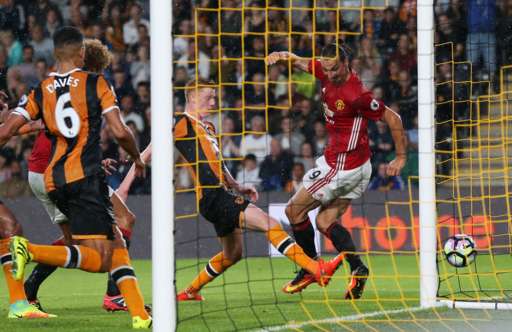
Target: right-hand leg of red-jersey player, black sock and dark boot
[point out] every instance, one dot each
(327, 223)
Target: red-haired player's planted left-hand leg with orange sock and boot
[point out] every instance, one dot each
(230, 254)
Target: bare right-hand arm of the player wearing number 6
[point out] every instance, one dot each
(125, 138)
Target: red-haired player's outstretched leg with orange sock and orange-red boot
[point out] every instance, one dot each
(256, 219)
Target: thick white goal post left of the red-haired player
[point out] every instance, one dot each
(162, 203)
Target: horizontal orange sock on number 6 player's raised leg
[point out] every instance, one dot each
(70, 257)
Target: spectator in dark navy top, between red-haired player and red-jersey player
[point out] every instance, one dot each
(275, 169)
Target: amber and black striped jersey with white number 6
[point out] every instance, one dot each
(71, 106)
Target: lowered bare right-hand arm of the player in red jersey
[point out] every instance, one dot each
(397, 132)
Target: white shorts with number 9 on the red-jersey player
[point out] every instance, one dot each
(325, 184)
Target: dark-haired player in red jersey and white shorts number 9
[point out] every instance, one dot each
(343, 172)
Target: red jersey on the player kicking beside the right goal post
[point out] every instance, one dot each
(347, 126)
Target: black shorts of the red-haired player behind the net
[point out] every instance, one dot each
(222, 209)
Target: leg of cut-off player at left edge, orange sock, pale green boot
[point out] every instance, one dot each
(19, 306)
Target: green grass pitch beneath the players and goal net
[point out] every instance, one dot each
(249, 297)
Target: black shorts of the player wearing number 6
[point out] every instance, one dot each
(87, 206)
